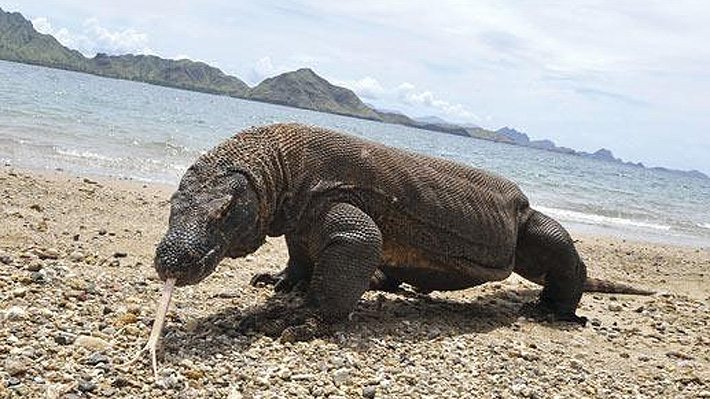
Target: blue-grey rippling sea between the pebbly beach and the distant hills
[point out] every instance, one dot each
(91, 125)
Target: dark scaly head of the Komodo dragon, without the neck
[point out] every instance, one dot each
(212, 215)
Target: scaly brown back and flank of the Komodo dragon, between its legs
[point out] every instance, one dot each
(441, 207)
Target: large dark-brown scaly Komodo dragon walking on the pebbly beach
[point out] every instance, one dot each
(359, 215)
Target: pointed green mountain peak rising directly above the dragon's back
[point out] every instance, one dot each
(304, 89)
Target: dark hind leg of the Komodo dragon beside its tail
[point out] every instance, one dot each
(545, 254)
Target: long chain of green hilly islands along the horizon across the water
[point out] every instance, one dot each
(303, 88)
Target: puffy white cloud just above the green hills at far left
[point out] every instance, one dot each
(95, 38)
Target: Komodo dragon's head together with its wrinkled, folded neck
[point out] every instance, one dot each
(226, 204)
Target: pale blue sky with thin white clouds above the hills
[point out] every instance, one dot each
(630, 76)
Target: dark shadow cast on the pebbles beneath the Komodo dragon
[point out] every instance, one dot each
(405, 317)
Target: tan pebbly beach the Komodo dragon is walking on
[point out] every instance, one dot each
(78, 292)
